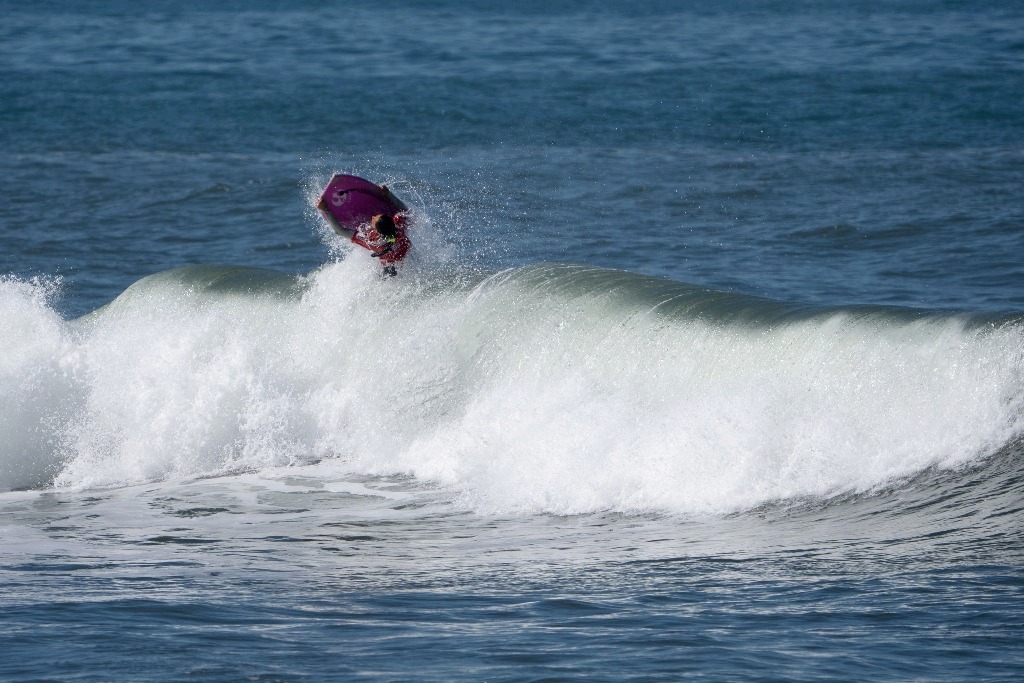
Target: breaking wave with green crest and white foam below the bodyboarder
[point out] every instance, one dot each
(550, 389)
